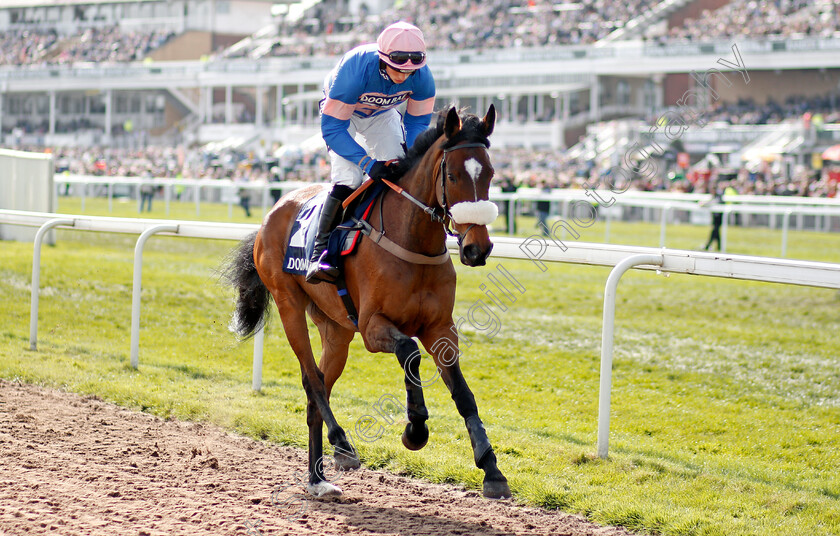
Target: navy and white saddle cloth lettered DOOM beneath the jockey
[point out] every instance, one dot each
(343, 239)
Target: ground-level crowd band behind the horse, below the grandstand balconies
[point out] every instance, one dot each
(516, 167)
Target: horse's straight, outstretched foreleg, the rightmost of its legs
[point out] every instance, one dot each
(445, 352)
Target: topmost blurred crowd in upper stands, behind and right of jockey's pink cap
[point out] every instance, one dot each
(504, 24)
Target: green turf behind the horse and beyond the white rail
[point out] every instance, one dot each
(725, 401)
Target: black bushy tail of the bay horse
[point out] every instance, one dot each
(253, 298)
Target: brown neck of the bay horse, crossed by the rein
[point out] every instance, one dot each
(406, 223)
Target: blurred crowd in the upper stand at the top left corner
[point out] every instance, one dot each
(97, 45)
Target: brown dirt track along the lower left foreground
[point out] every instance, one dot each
(79, 466)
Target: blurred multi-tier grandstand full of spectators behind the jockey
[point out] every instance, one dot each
(761, 79)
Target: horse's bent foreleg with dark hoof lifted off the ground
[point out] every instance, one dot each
(383, 336)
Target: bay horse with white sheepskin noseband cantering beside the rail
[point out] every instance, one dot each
(447, 172)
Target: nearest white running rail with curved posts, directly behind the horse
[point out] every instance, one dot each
(535, 248)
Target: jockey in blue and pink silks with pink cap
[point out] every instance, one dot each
(360, 122)
